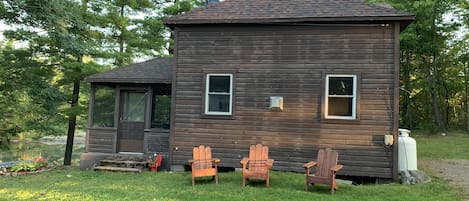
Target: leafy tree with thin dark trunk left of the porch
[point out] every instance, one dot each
(57, 33)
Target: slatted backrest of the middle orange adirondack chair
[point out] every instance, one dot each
(258, 156)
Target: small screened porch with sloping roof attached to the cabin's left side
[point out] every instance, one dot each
(129, 112)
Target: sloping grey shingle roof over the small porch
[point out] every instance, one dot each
(157, 70)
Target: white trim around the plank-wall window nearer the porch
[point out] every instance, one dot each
(207, 93)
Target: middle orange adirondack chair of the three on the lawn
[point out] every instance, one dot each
(258, 164)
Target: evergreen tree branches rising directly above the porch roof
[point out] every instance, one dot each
(130, 29)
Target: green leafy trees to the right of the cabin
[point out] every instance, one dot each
(432, 69)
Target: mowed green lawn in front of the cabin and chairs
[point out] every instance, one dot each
(72, 184)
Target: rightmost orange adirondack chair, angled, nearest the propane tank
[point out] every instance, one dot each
(326, 169)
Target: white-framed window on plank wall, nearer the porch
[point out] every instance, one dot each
(219, 94)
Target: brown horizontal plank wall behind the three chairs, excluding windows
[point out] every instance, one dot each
(286, 61)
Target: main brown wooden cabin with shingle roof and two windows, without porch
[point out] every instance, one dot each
(296, 75)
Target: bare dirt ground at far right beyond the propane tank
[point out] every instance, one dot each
(456, 171)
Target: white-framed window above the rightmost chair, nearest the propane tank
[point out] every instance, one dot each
(341, 97)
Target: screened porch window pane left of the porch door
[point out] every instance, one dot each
(103, 108)
